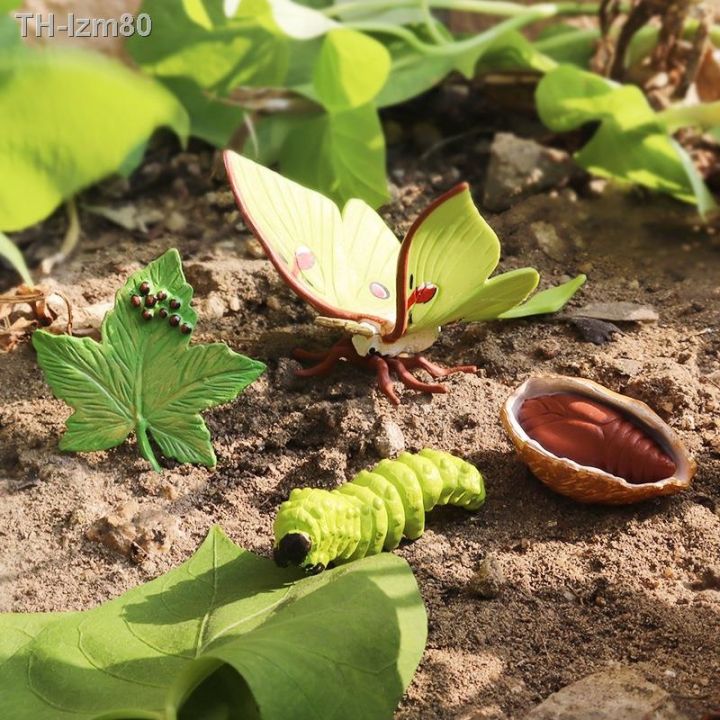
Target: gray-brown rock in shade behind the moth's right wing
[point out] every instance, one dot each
(520, 167)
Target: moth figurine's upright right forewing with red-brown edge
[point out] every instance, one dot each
(447, 254)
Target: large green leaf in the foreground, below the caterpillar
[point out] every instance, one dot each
(226, 628)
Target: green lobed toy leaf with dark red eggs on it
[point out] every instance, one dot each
(142, 377)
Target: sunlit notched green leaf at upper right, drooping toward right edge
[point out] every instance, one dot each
(631, 145)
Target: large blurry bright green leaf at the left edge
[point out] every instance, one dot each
(70, 118)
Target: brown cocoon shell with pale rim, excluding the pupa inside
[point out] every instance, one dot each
(587, 483)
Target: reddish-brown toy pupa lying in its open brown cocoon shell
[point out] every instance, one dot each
(592, 444)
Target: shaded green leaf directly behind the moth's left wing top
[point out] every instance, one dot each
(342, 153)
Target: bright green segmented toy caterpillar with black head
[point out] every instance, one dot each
(374, 511)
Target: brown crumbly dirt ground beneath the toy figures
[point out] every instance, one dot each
(584, 587)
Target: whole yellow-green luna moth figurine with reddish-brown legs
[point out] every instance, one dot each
(390, 297)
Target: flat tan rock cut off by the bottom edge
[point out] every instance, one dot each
(613, 694)
